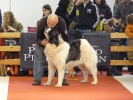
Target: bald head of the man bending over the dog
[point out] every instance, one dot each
(52, 20)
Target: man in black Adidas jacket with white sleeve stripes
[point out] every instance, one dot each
(87, 16)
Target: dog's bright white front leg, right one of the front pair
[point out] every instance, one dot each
(61, 70)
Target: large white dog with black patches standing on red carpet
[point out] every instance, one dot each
(61, 55)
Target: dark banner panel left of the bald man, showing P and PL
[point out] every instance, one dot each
(27, 51)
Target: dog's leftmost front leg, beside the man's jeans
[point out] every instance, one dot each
(51, 72)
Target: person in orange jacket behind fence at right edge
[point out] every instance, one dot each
(129, 32)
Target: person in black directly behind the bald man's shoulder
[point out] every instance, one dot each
(63, 11)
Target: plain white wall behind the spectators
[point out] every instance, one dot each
(28, 12)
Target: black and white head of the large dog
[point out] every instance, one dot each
(52, 36)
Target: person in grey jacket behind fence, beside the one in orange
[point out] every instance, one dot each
(123, 9)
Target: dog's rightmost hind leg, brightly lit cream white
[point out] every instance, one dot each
(93, 70)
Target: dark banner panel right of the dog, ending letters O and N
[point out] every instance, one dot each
(101, 43)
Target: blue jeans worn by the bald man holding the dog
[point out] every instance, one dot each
(39, 58)
